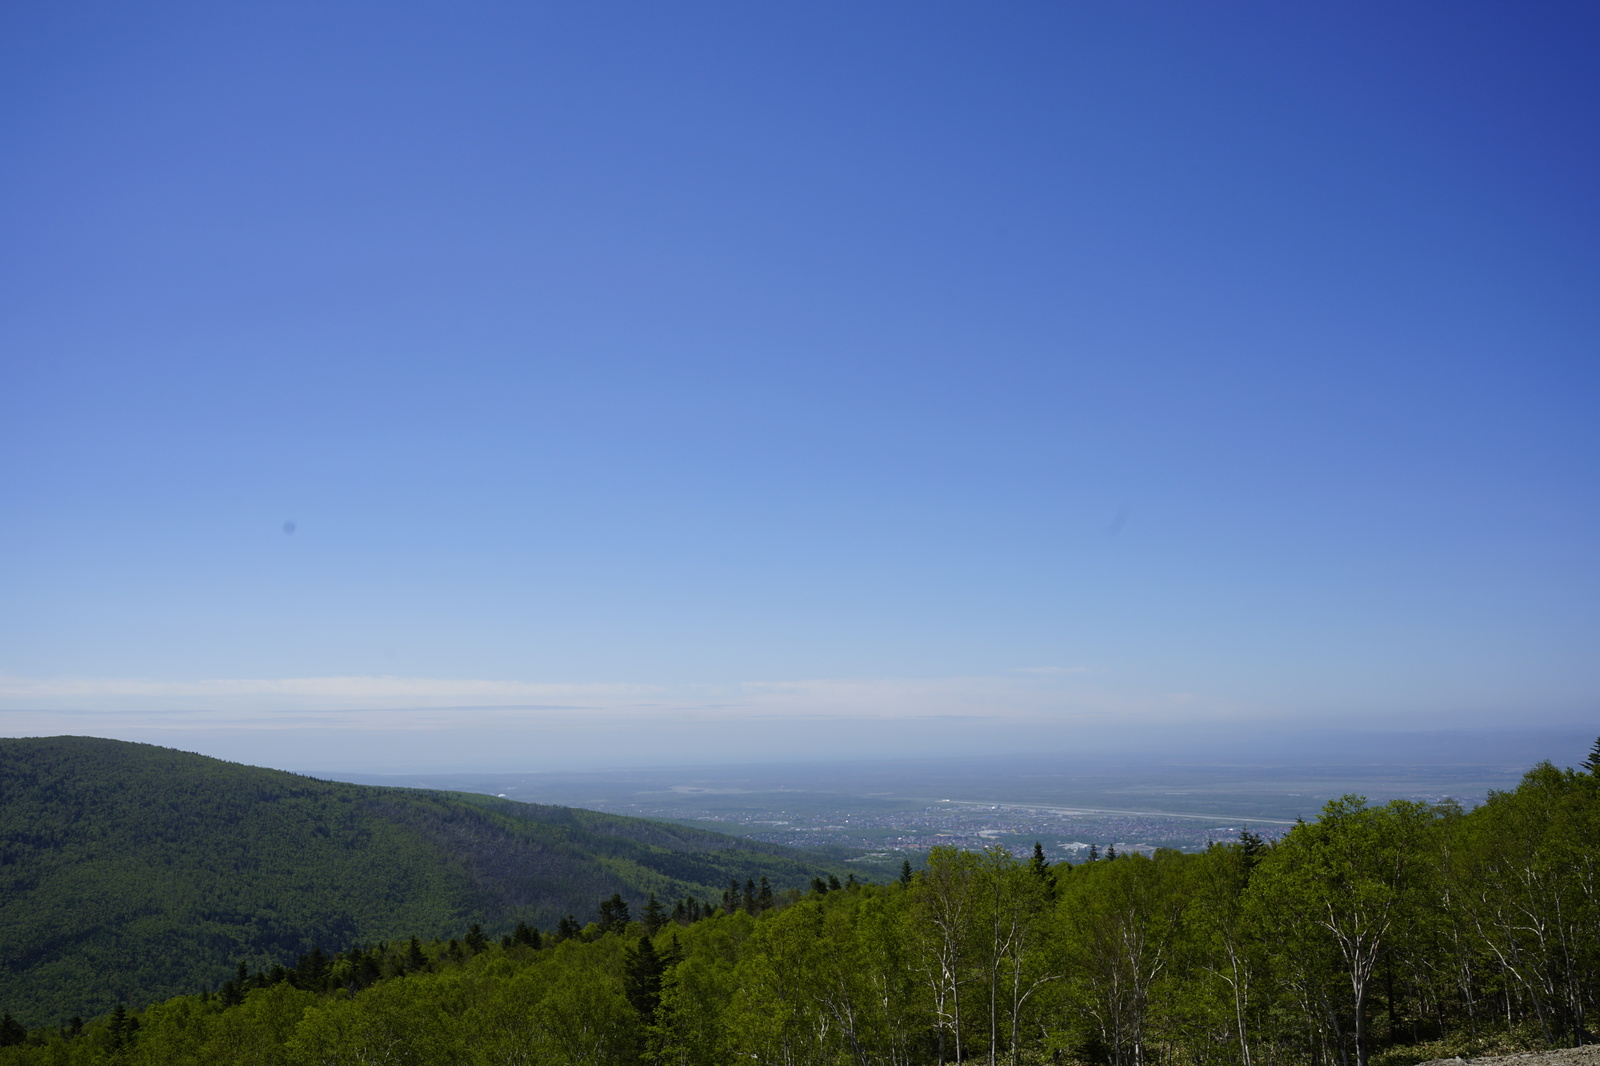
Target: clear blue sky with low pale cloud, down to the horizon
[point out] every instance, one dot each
(687, 382)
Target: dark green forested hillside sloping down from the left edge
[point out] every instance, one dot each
(132, 873)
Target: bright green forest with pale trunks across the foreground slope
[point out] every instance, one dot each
(1377, 934)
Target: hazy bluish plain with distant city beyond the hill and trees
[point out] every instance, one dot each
(889, 811)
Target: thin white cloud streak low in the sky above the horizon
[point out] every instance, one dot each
(422, 703)
